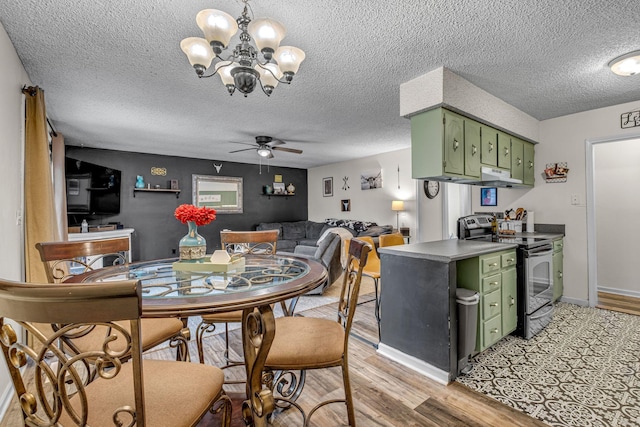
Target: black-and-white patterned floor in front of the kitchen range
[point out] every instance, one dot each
(582, 370)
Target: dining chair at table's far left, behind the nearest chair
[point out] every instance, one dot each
(63, 260)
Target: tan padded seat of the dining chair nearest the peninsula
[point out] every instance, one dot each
(301, 342)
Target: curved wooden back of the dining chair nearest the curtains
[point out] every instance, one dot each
(65, 259)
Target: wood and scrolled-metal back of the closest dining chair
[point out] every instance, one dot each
(52, 386)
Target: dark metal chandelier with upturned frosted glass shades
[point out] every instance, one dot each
(244, 68)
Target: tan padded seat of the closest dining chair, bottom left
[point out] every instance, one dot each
(172, 389)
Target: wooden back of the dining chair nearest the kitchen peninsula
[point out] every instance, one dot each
(359, 251)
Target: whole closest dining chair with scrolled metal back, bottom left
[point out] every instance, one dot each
(95, 387)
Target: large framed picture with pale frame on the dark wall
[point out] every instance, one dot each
(223, 193)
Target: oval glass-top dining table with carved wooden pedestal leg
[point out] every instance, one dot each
(180, 290)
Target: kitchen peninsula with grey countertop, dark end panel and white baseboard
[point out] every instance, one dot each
(419, 325)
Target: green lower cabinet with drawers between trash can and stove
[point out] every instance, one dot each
(494, 277)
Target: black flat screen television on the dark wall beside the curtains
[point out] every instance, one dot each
(92, 189)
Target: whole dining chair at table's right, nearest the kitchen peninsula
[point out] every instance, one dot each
(308, 343)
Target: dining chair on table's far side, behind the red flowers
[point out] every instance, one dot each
(235, 242)
